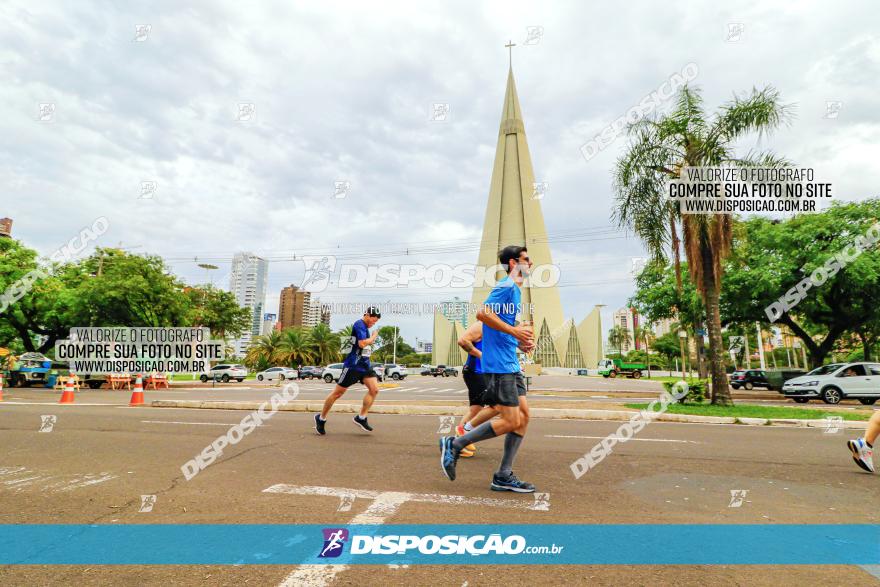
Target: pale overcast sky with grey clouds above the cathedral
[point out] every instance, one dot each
(344, 92)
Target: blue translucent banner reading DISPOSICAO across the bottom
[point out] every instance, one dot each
(544, 544)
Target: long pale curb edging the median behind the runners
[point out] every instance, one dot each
(549, 413)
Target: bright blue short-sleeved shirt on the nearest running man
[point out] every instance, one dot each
(499, 348)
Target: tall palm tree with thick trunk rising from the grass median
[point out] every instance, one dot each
(660, 149)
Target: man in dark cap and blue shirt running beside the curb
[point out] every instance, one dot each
(356, 368)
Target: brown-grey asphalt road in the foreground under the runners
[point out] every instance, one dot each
(97, 462)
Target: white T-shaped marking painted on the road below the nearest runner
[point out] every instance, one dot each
(384, 504)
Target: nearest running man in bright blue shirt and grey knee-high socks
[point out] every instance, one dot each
(505, 384)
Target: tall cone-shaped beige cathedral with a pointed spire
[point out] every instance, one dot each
(514, 217)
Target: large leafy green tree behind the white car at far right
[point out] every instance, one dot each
(771, 258)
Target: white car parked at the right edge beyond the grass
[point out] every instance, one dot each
(835, 382)
